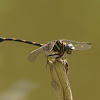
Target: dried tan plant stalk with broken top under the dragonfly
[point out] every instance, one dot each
(60, 83)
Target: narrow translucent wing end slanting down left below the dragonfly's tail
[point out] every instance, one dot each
(34, 54)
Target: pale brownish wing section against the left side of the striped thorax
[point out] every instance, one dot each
(48, 47)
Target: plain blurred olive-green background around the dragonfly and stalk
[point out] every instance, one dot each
(43, 21)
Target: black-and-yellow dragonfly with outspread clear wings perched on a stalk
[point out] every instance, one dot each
(55, 48)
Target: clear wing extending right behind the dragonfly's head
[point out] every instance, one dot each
(78, 45)
